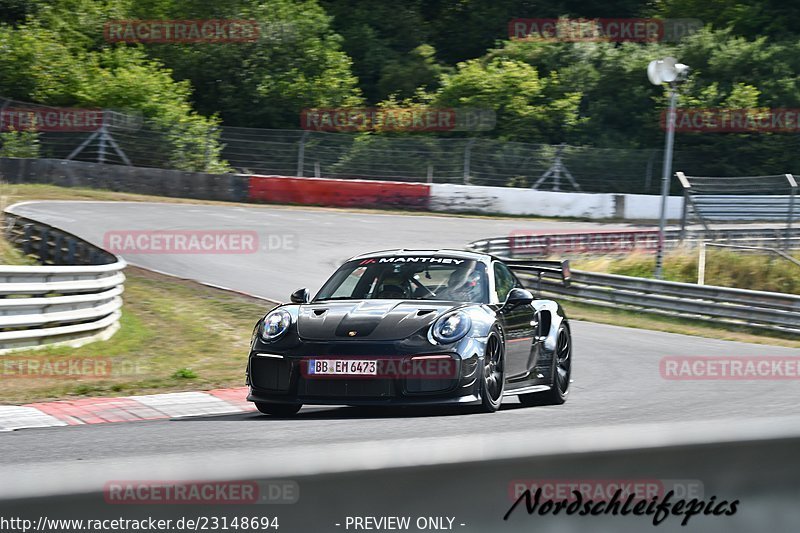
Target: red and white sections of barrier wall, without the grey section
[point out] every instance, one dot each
(457, 198)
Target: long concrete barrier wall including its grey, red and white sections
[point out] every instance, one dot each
(335, 192)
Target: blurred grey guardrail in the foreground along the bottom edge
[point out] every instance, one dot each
(330, 484)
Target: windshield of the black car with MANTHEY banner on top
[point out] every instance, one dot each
(408, 278)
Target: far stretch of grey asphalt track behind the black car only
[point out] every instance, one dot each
(299, 247)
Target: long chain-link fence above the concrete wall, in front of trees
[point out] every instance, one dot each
(113, 137)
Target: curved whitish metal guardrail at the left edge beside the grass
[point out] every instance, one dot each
(74, 297)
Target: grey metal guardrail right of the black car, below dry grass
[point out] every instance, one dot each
(720, 305)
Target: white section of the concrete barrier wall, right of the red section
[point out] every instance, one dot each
(514, 201)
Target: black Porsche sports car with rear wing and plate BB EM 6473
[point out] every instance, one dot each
(415, 327)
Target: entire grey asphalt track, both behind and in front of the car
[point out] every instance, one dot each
(616, 374)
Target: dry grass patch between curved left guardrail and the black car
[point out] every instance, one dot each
(175, 335)
